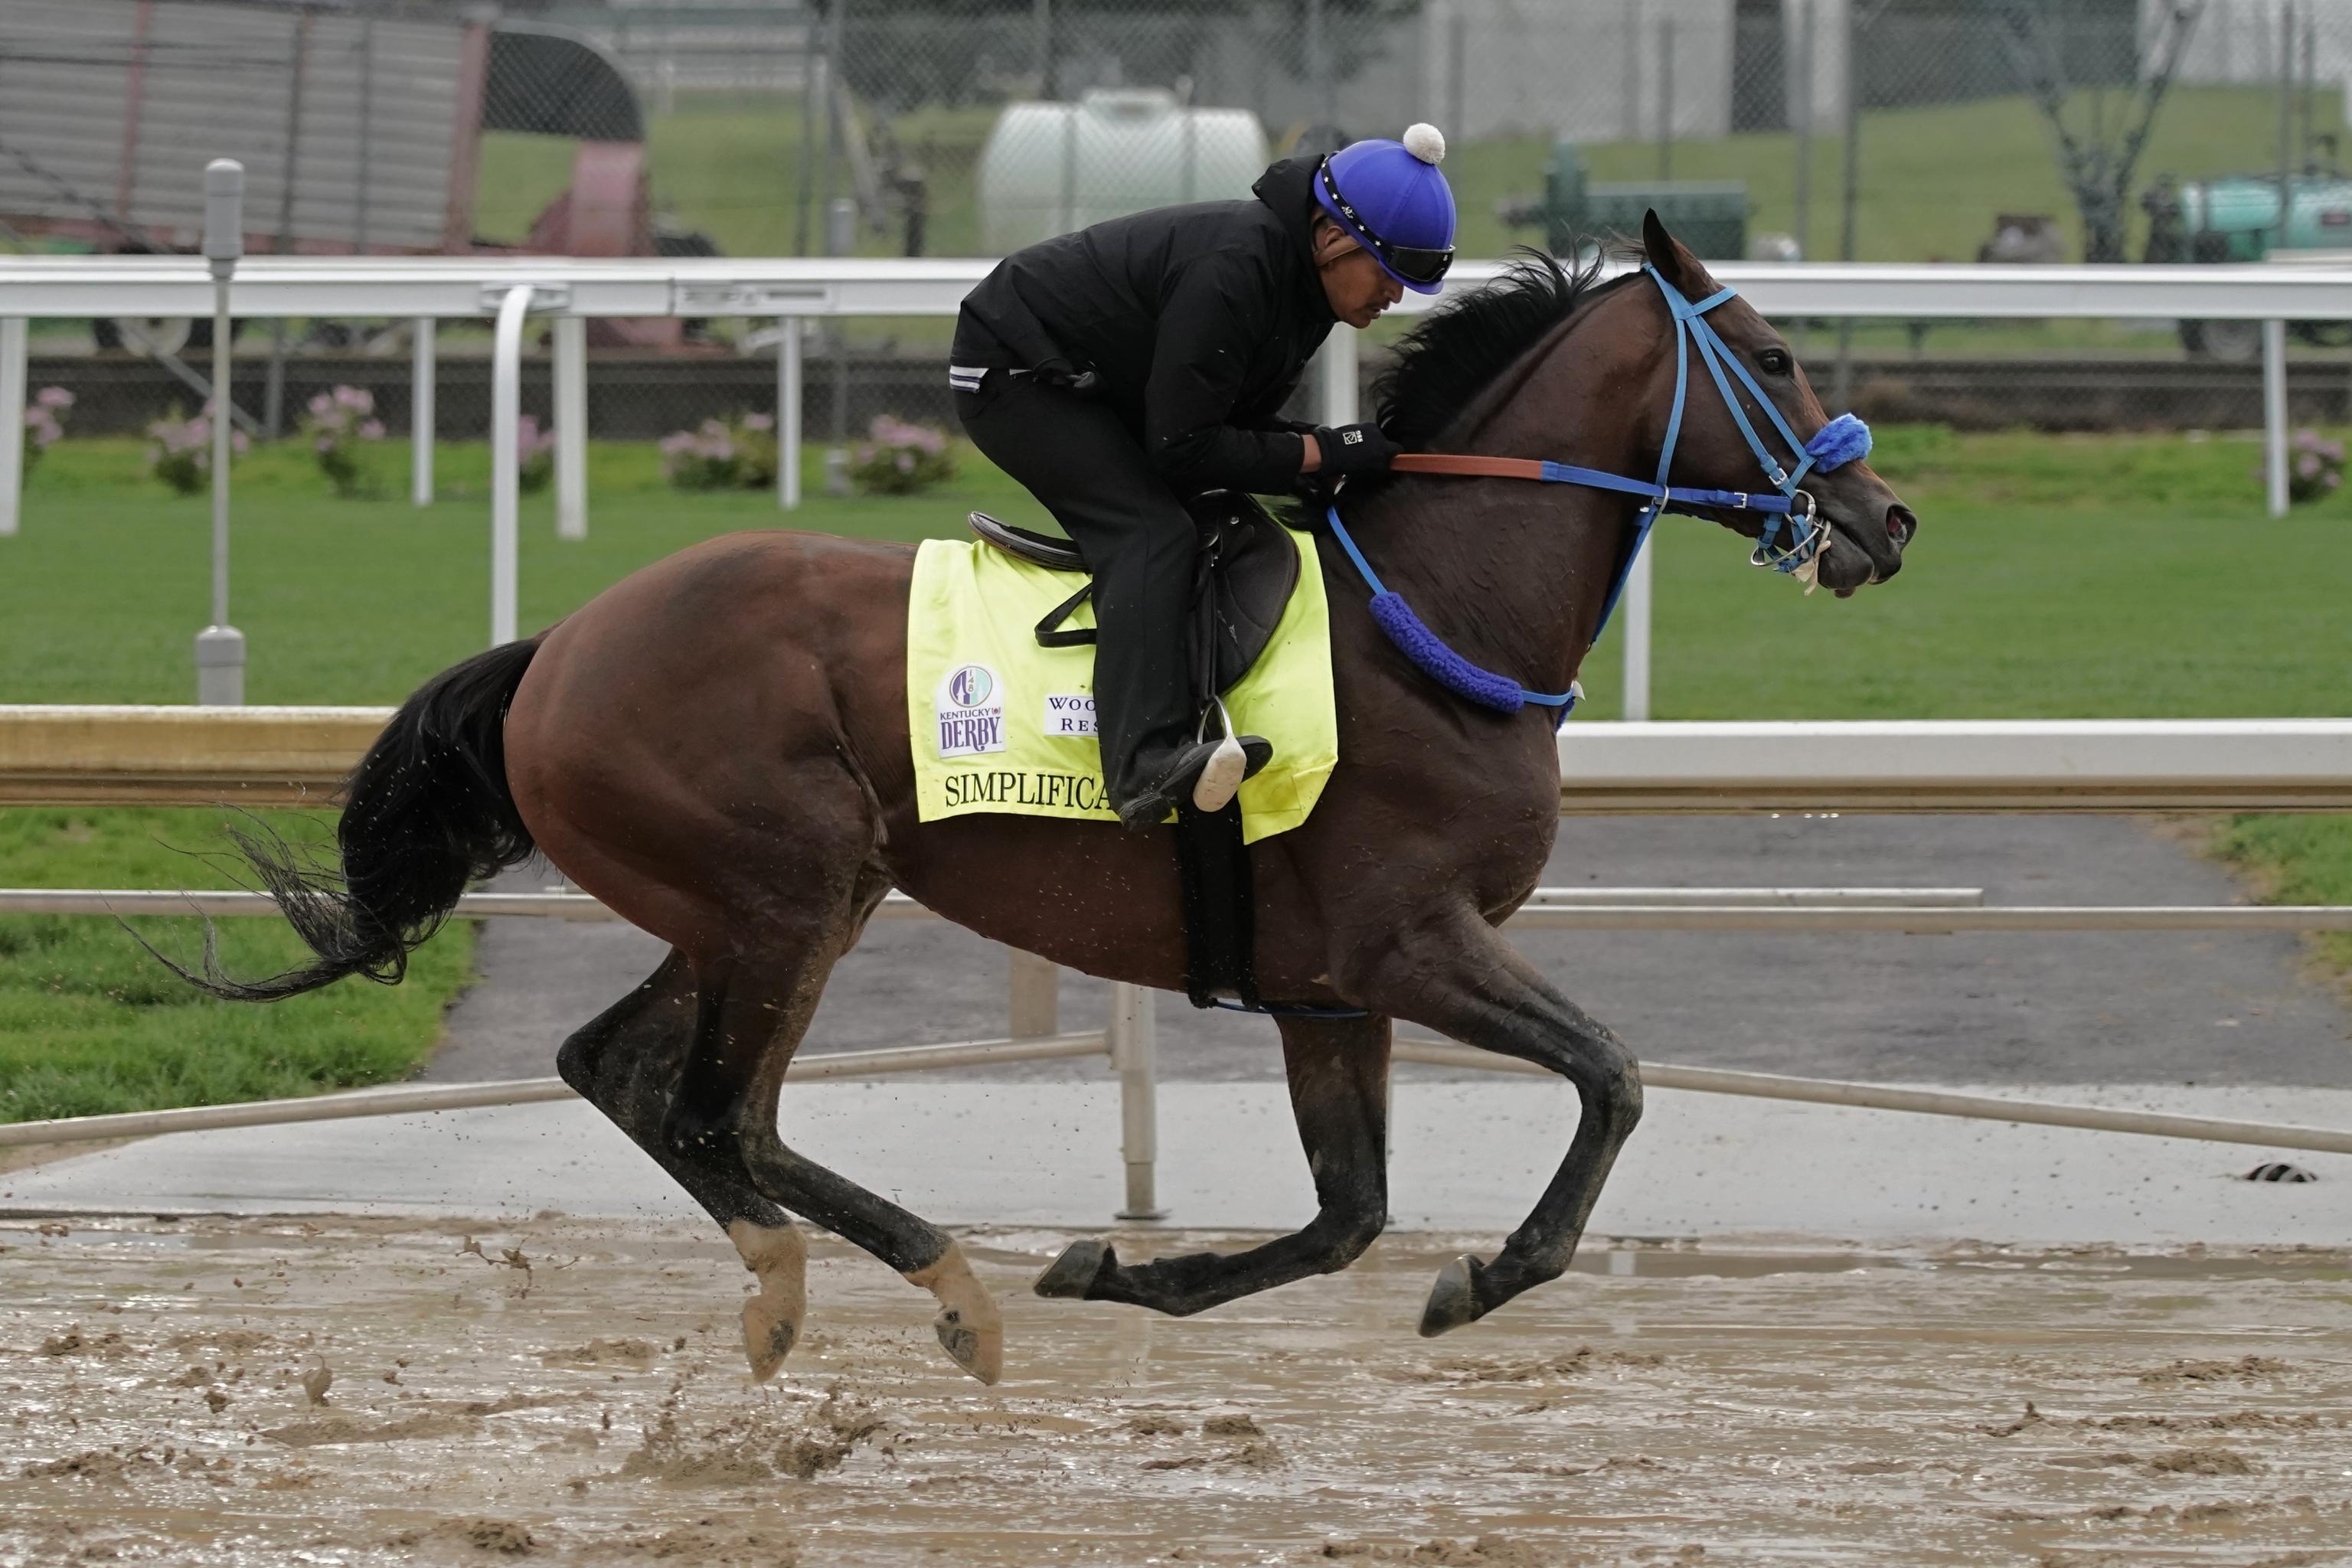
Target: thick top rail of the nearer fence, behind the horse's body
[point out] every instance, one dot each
(300, 756)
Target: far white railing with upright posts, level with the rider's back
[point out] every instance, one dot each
(794, 290)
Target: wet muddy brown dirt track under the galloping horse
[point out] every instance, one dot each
(385, 1393)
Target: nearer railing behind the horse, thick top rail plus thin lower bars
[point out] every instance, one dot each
(203, 753)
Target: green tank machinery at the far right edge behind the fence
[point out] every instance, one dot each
(2238, 220)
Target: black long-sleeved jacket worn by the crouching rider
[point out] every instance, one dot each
(1196, 323)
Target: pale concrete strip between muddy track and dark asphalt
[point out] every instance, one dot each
(1469, 1158)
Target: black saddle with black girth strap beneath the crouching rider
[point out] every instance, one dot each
(1243, 579)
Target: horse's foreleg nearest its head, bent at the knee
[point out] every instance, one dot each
(1462, 979)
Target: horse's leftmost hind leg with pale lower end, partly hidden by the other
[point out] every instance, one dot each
(627, 1064)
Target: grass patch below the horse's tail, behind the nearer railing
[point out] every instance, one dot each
(91, 1024)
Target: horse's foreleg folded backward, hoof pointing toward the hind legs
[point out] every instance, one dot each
(1339, 1092)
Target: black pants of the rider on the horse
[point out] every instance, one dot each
(1137, 537)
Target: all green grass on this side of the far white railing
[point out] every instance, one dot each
(2054, 577)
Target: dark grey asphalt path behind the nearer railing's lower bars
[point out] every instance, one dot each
(1989, 1010)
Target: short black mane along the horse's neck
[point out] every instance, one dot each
(1459, 349)
